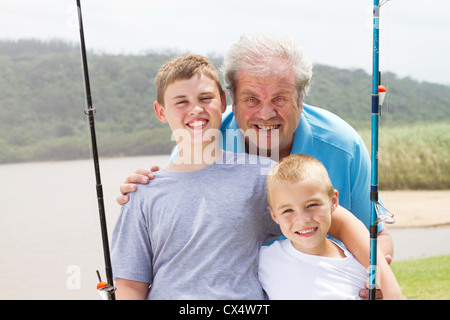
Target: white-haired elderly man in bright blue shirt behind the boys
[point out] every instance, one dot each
(268, 79)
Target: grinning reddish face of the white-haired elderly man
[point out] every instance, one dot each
(269, 107)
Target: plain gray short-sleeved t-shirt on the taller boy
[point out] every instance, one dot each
(197, 235)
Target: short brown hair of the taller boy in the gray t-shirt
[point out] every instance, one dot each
(183, 68)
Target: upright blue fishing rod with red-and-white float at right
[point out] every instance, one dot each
(378, 93)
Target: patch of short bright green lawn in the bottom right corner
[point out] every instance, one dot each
(424, 279)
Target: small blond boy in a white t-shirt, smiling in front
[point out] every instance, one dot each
(308, 265)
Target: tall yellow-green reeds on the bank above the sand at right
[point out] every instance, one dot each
(414, 157)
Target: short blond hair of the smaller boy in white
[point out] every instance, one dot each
(297, 167)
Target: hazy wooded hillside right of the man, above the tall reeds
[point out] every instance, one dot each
(348, 94)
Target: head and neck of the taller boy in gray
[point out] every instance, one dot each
(193, 109)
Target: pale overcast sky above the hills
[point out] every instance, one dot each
(414, 35)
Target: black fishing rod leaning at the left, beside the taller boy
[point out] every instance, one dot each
(107, 292)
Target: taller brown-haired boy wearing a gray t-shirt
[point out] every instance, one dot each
(195, 231)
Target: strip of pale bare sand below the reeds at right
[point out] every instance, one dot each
(418, 208)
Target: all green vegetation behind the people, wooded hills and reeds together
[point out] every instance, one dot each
(42, 102)
